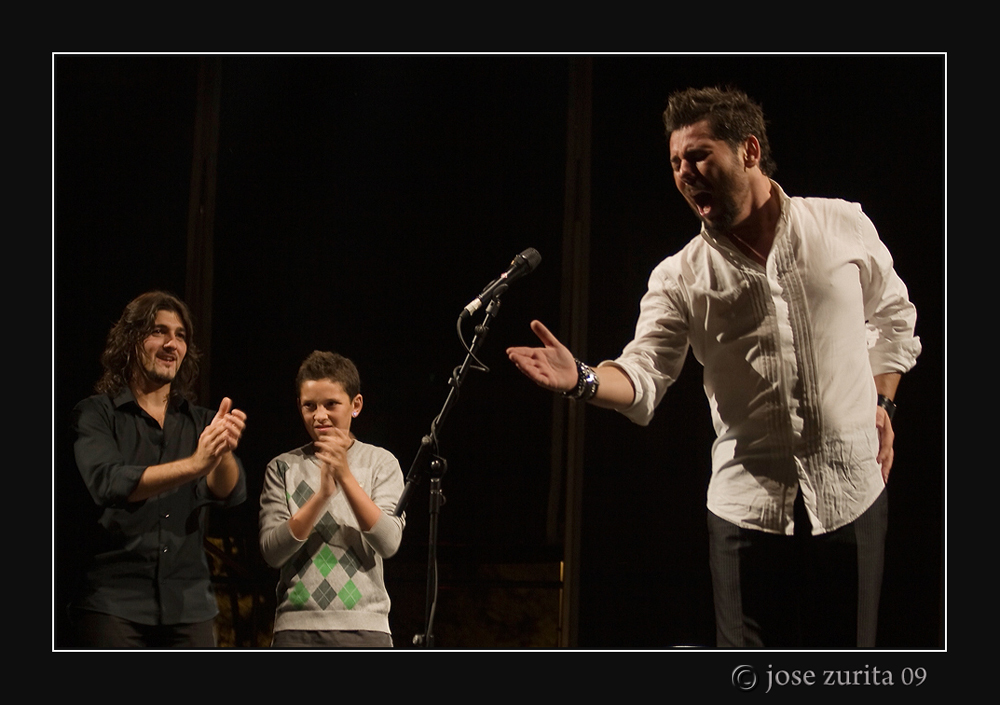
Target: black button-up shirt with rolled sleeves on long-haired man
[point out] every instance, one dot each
(147, 559)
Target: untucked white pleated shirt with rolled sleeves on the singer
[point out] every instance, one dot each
(789, 353)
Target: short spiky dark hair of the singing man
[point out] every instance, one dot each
(731, 114)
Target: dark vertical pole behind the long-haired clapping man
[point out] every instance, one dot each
(201, 213)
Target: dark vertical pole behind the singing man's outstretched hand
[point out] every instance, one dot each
(568, 417)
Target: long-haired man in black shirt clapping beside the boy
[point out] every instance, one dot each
(153, 462)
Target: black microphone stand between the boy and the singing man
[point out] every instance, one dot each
(428, 462)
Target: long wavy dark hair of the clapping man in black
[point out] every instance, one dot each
(121, 352)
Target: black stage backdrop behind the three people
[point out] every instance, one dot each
(362, 201)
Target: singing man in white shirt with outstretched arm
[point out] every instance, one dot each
(793, 308)
